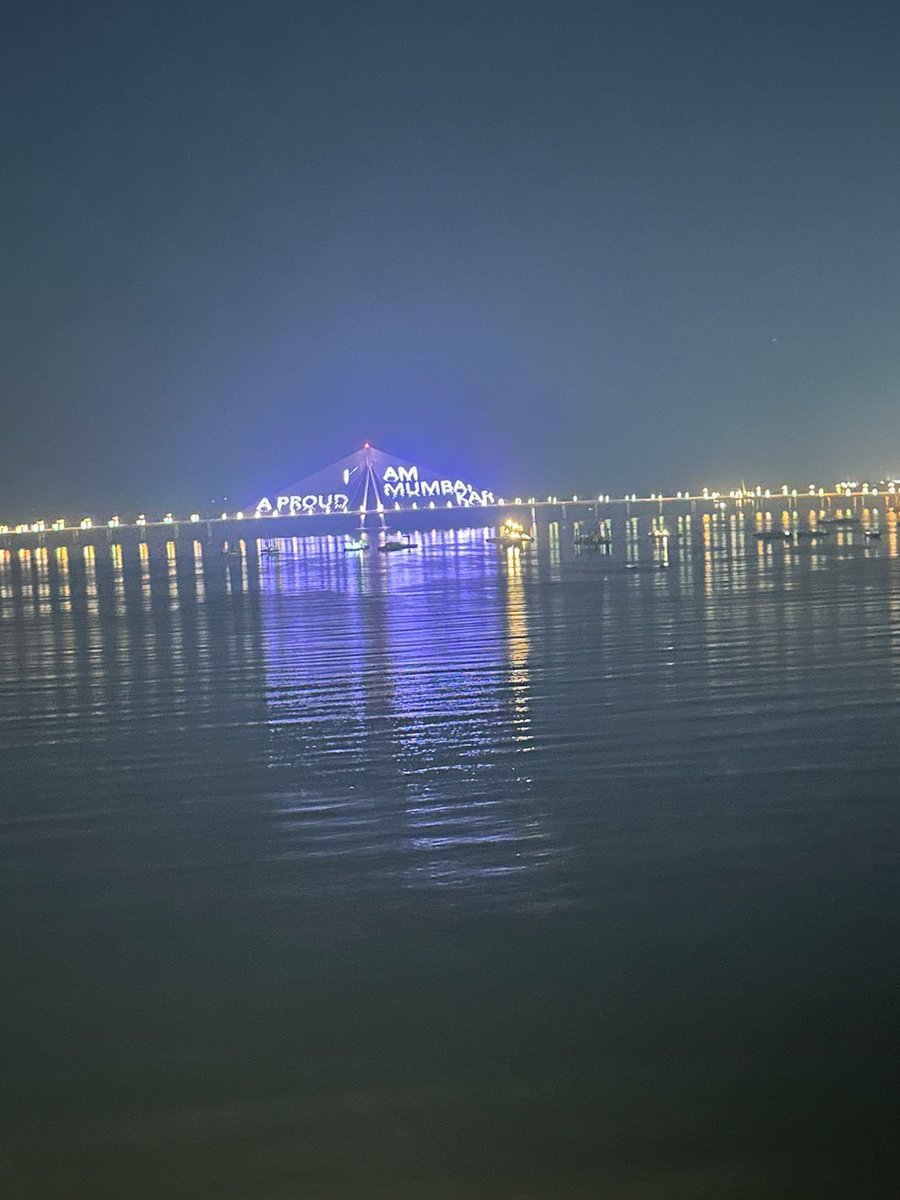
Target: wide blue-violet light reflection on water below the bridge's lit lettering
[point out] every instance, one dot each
(407, 677)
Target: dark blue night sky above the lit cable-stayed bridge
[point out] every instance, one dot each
(548, 247)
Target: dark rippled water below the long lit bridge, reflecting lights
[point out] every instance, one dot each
(454, 874)
